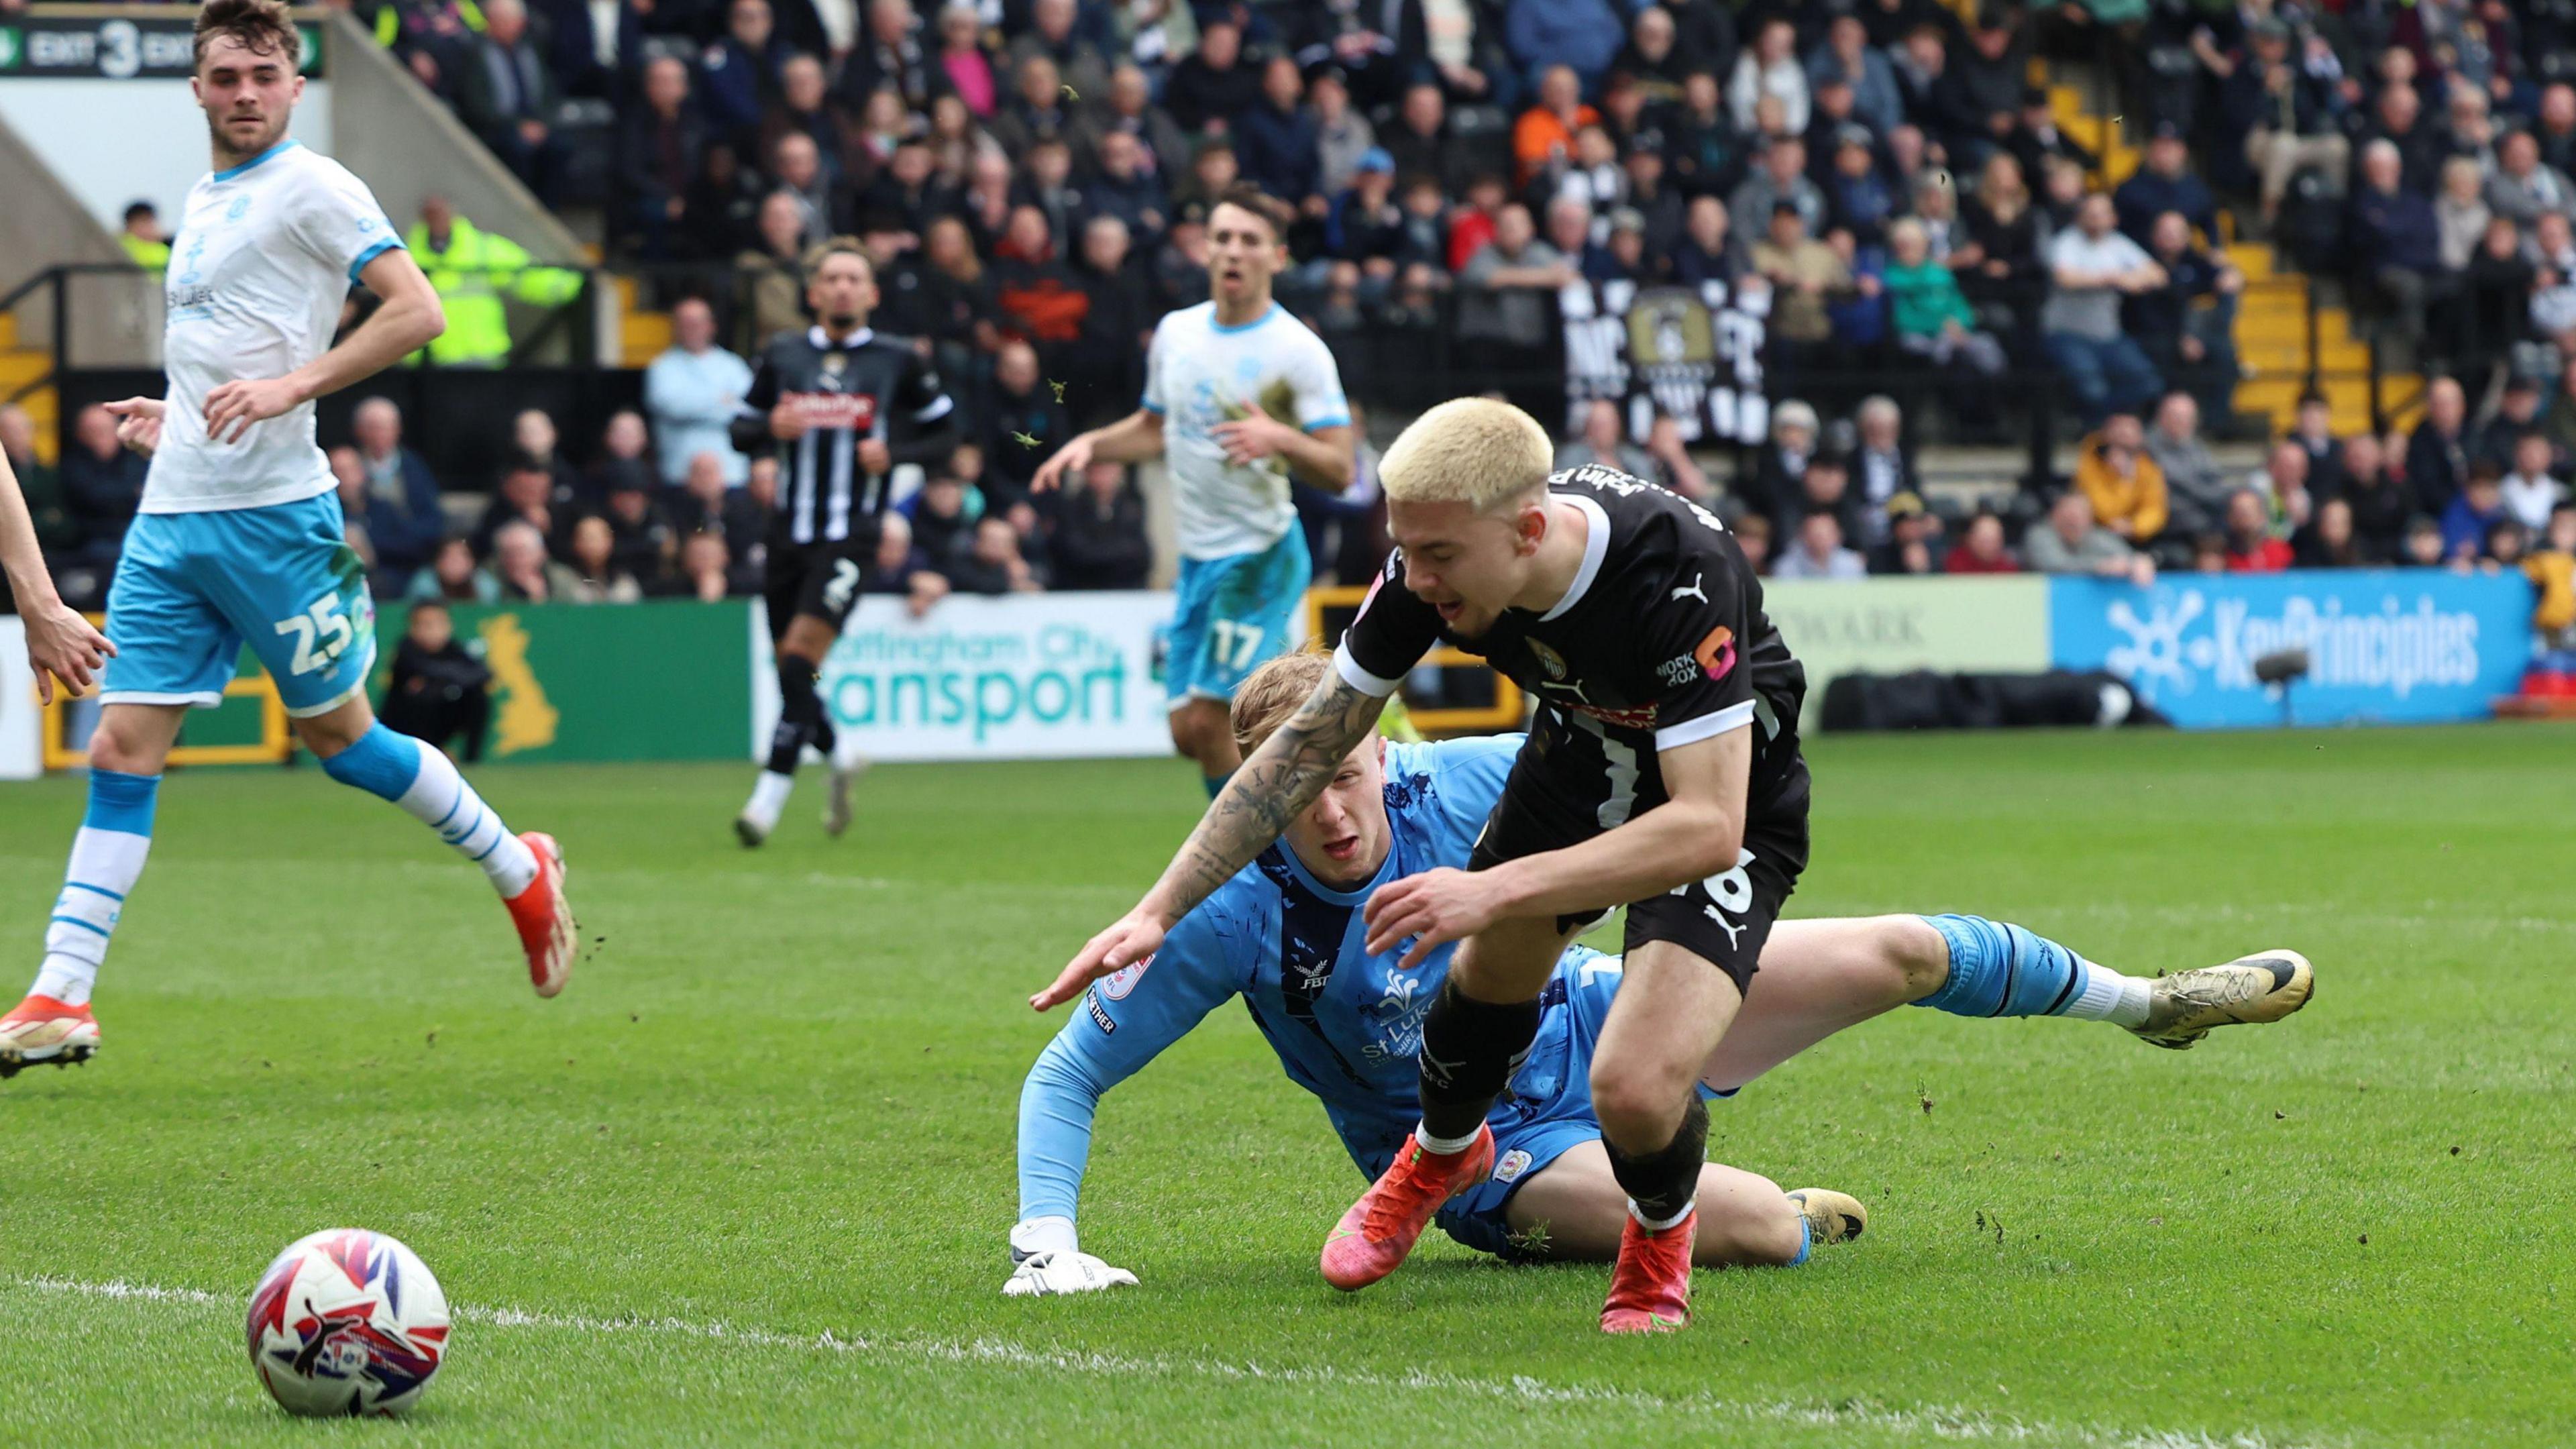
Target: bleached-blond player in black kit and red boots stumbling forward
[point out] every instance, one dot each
(1663, 775)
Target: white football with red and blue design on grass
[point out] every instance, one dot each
(349, 1324)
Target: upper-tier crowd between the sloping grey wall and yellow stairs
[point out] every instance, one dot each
(1042, 169)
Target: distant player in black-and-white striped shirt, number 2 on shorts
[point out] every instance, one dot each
(831, 404)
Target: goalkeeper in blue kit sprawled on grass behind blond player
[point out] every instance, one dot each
(1346, 1022)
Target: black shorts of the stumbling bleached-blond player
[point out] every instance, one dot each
(1555, 801)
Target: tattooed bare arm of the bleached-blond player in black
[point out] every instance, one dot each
(1271, 788)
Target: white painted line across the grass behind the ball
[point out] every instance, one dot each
(1521, 1388)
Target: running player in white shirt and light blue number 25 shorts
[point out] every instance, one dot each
(241, 532)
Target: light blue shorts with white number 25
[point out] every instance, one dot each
(192, 589)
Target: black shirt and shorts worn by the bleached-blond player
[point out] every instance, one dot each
(1660, 643)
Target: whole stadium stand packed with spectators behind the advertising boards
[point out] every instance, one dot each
(2181, 231)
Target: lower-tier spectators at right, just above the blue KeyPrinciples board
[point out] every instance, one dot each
(2150, 496)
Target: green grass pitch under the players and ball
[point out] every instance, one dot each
(748, 1182)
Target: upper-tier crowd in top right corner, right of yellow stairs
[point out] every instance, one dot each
(2418, 151)
